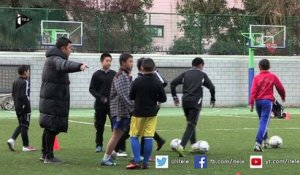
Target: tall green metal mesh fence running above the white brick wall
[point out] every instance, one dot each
(145, 32)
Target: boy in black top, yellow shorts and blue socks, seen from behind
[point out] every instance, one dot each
(146, 91)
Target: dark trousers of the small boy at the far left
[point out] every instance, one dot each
(24, 121)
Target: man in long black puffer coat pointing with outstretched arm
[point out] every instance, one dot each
(55, 95)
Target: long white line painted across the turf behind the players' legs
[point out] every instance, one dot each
(174, 130)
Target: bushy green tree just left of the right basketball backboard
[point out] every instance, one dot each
(213, 22)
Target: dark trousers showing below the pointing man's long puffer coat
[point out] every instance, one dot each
(47, 143)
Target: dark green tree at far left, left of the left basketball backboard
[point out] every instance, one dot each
(27, 37)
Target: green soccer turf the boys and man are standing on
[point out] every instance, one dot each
(230, 133)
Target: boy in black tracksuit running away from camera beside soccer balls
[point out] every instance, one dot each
(192, 98)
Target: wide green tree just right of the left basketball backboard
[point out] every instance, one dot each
(116, 25)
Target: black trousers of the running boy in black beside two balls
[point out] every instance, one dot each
(191, 115)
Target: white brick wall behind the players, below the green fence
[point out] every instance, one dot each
(228, 73)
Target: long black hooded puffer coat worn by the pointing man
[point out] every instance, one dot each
(54, 102)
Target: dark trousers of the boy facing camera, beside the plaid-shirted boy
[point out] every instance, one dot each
(99, 123)
